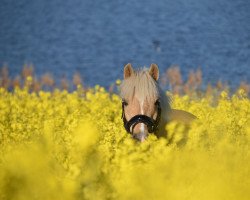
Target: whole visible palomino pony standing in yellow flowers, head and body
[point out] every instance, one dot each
(145, 107)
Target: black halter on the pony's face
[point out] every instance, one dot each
(150, 122)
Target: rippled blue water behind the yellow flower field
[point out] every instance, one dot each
(96, 38)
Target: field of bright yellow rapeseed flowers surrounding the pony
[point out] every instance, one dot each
(61, 145)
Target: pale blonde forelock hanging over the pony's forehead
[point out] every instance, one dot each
(140, 85)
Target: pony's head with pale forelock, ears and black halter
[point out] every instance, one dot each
(141, 101)
